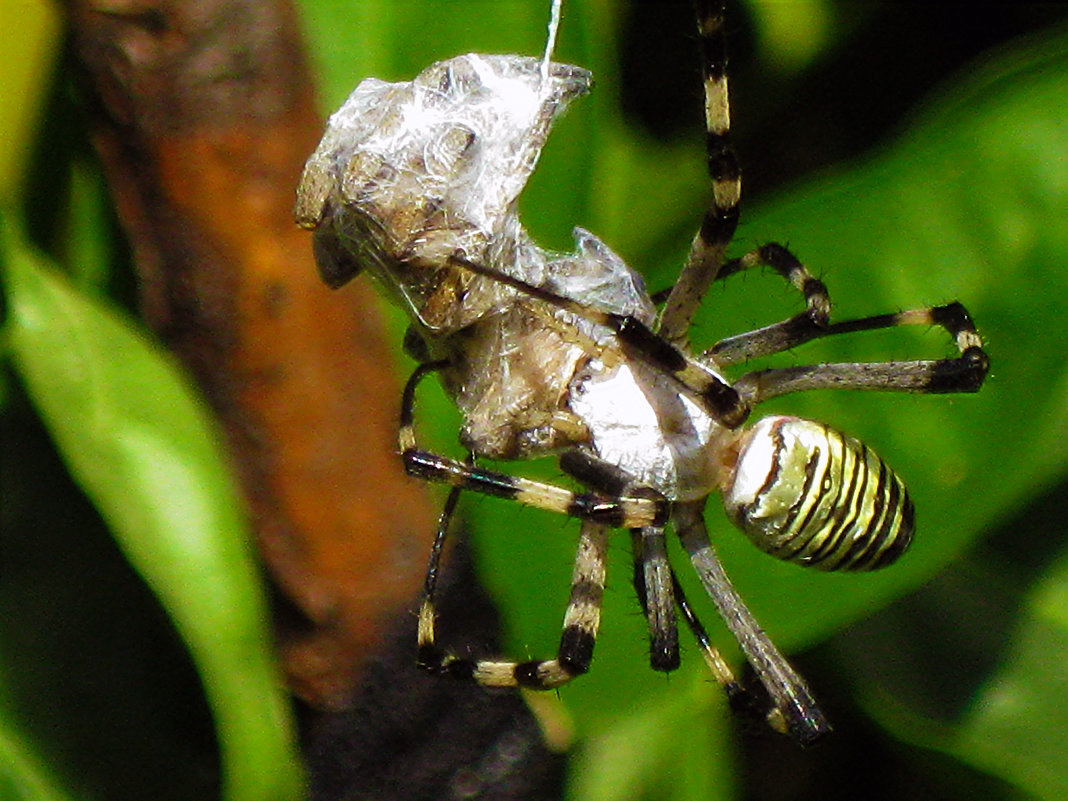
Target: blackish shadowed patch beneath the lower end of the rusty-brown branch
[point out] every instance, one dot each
(410, 736)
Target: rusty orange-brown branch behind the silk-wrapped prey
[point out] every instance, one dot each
(205, 116)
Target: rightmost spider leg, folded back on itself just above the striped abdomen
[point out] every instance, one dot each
(964, 374)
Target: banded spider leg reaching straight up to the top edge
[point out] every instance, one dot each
(721, 218)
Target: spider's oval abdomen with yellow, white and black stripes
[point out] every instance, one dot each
(808, 494)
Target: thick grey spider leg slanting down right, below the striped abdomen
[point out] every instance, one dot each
(795, 711)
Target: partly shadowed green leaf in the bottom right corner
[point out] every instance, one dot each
(973, 666)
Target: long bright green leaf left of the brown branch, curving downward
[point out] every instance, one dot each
(145, 450)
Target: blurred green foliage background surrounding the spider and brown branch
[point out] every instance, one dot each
(909, 154)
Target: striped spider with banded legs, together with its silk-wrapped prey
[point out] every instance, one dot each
(547, 354)
